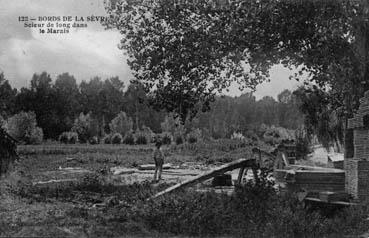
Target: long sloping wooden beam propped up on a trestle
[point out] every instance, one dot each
(241, 163)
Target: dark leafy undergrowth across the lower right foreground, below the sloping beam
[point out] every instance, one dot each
(254, 210)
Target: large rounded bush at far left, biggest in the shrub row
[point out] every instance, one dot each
(23, 127)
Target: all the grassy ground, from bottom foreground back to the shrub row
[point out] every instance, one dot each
(70, 209)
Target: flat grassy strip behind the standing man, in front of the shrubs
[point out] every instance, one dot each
(40, 158)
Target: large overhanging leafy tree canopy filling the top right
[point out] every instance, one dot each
(185, 52)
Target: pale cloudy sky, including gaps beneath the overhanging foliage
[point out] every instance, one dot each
(84, 52)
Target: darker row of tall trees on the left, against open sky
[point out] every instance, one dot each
(57, 104)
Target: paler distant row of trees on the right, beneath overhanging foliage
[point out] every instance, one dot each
(245, 113)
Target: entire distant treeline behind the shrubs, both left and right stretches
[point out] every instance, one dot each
(57, 103)
